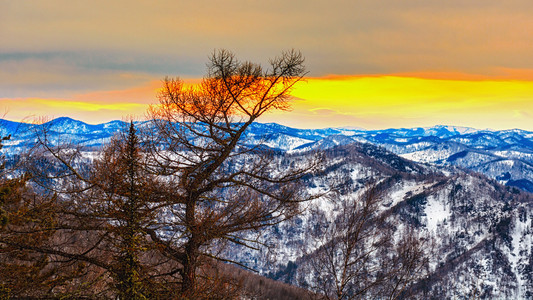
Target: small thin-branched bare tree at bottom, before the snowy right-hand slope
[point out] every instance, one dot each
(362, 255)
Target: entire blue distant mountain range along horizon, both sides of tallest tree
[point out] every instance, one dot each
(505, 155)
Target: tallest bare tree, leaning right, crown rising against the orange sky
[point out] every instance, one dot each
(223, 188)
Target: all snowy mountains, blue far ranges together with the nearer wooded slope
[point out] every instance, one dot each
(425, 178)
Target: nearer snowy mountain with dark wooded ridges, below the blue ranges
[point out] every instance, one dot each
(482, 231)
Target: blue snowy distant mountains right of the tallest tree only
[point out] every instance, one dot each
(505, 155)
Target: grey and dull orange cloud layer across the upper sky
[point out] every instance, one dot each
(338, 37)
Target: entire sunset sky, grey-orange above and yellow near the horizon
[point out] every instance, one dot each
(372, 64)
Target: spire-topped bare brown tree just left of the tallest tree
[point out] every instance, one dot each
(103, 209)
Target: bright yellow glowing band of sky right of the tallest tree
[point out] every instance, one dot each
(393, 101)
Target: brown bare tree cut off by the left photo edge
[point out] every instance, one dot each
(26, 218)
